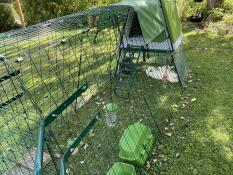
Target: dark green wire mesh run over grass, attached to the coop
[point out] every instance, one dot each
(46, 63)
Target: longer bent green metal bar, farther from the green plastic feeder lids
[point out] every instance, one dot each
(48, 120)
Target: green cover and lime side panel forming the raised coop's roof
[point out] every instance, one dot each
(152, 20)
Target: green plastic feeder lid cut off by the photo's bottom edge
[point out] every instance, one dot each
(122, 169)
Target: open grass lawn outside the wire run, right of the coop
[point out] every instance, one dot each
(202, 141)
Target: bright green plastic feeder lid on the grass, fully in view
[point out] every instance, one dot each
(136, 144)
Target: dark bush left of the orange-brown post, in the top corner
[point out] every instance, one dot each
(7, 19)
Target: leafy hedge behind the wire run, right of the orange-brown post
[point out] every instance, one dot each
(40, 10)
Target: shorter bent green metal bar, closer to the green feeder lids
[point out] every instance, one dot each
(74, 145)
